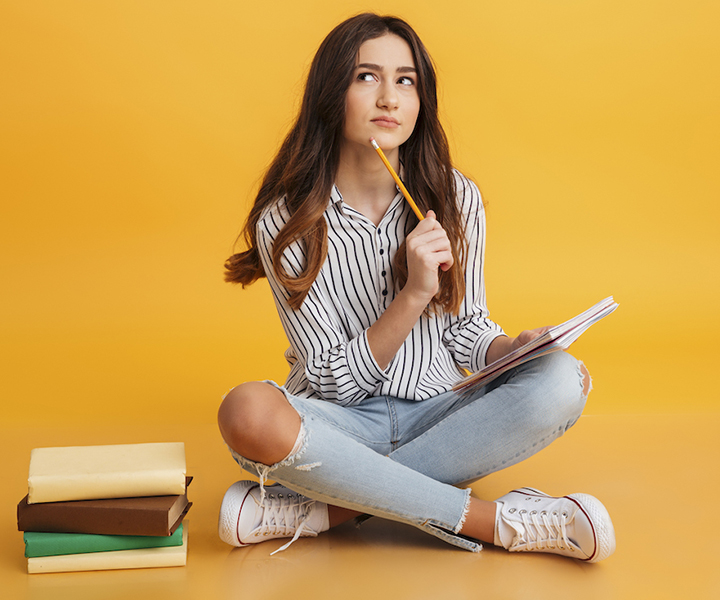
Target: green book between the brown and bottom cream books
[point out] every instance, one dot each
(39, 544)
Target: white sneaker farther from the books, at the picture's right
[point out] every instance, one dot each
(577, 525)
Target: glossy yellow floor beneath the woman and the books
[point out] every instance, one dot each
(657, 474)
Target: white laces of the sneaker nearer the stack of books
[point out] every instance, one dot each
(285, 515)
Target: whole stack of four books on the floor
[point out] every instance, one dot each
(91, 508)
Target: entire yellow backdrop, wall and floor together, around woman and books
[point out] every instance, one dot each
(132, 137)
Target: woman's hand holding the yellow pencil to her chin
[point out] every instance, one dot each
(428, 249)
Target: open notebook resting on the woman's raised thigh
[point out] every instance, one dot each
(556, 338)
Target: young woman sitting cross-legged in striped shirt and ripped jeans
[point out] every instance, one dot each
(381, 310)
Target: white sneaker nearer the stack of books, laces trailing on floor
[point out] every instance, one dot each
(244, 519)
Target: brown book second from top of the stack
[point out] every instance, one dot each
(150, 515)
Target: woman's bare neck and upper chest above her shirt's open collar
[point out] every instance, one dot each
(364, 182)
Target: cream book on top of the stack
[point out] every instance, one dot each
(113, 471)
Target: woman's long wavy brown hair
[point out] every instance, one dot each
(304, 168)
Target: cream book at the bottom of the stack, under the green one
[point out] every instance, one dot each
(139, 558)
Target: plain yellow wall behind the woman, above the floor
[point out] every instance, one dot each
(133, 134)
